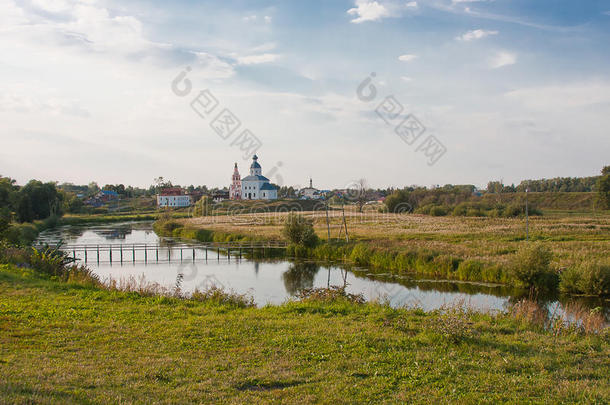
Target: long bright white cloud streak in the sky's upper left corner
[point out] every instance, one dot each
(81, 27)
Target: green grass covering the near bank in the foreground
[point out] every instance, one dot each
(69, 343)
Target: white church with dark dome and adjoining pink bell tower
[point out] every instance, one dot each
(252, 187)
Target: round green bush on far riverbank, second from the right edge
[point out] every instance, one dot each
(531, 268)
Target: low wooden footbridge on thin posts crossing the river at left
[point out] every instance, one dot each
(166, 252)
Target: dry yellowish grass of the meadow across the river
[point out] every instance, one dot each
(572, 239)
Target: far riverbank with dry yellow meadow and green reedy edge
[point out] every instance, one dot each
(467, 249)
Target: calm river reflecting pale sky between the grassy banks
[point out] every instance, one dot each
(274, 282)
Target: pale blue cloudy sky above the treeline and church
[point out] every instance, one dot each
(426, 92)
